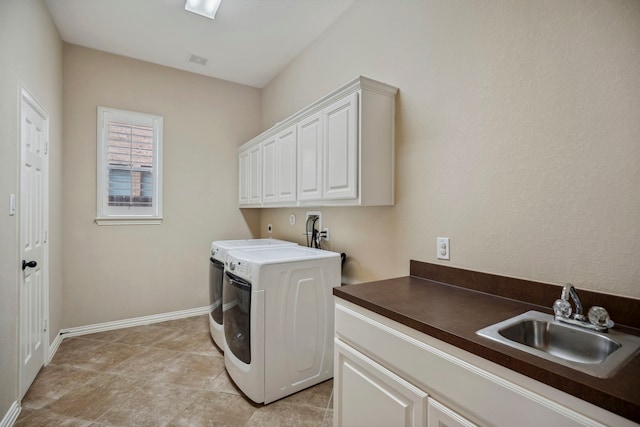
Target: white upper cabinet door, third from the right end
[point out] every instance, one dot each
(286, 165)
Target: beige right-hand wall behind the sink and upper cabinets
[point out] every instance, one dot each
(518, 137)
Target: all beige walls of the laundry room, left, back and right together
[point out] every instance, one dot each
(517, 137)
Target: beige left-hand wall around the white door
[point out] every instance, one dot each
(30, 55)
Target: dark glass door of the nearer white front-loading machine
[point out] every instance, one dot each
(236, 315)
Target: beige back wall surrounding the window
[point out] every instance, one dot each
(119, 272)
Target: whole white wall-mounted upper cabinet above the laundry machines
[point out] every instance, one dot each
(339, 151)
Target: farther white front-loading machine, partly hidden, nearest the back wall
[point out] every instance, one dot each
(219, 251)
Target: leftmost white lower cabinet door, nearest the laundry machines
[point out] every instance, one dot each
(367, 394)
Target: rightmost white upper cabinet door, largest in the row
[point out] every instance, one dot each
(341, 149)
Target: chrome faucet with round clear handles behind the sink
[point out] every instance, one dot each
(598, 317)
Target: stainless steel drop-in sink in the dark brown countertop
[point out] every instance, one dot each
(594, 353)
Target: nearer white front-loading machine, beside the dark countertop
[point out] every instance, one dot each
(278, 319)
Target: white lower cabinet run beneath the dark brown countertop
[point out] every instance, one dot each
(388, 374)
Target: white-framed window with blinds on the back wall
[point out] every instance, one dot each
(129, 166)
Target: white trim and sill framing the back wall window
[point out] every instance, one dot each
(135, 215)
